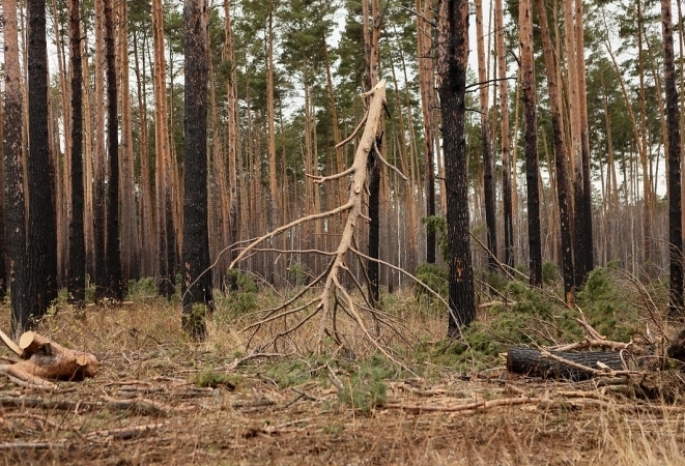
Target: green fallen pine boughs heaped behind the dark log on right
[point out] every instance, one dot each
(534, 317)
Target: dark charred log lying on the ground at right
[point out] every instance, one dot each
(532, 363)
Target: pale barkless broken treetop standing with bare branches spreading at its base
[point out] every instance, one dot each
(333, 297)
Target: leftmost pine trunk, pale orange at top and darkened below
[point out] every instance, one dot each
(14, 173)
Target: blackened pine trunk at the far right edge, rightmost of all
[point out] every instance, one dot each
(675, 236)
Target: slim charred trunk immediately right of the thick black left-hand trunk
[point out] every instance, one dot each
(77, 247)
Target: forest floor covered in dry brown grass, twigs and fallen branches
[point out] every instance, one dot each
(161, 399)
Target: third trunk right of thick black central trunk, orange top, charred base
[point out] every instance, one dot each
(531, 140)
